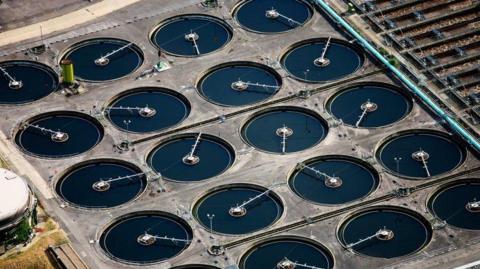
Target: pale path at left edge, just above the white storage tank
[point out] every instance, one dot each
(23, 167)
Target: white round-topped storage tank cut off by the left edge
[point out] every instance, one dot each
(15, 199)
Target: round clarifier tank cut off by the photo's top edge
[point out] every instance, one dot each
(272, 16)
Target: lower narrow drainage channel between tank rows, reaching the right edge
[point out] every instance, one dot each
(402, 192)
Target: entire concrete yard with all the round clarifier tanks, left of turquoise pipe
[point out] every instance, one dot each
(254, 134)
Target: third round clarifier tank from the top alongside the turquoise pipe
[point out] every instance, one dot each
(370, 105)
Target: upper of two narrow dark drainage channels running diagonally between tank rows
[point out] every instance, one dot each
(301, 94)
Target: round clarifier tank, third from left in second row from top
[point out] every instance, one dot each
(239, 83)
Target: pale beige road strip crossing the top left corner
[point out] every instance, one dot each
(63, 22)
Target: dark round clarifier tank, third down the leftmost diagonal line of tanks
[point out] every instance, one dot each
(101, 183)
